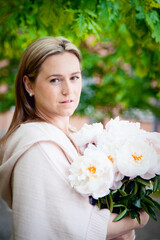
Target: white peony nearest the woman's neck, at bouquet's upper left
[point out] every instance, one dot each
(87, 134)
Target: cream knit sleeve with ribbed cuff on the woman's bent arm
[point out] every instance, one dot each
(44, 205)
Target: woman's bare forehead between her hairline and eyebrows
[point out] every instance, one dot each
(61, 63)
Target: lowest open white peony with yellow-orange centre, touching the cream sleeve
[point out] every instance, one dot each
(92, 173)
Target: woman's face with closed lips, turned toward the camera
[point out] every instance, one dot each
(57, 88)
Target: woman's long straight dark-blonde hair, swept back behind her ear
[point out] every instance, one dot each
(30, 65)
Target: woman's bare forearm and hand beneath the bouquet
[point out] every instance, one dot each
(125, 226)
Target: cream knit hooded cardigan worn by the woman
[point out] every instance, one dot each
(34, 183)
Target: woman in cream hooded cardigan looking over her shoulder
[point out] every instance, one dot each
(37, 152)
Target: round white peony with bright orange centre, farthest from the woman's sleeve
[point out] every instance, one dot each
(136, 158)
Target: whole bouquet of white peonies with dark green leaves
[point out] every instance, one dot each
(119, 167)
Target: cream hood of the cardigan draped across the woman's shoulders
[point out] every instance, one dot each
(28, 134)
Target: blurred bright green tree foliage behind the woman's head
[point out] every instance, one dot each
(128, 30)
